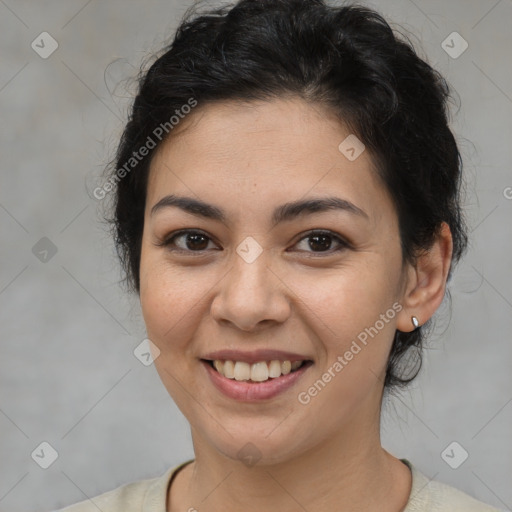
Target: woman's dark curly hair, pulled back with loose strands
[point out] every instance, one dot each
(344, 57)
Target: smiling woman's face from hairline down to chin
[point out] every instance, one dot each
(257, 281)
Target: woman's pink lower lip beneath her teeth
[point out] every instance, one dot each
(246, 391)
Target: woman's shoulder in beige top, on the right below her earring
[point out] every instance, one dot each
(433, 496)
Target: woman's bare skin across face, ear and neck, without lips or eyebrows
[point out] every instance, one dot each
(248, 159)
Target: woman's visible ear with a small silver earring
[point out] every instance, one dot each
(425, 284)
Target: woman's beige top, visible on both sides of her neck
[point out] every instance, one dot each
(150, 495)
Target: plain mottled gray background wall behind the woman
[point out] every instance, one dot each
(68, 372)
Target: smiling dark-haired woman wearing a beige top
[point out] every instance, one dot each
(288, 211)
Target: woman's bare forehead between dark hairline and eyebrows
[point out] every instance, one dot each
(272, 151)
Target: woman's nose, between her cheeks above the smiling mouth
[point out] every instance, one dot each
(251, 295)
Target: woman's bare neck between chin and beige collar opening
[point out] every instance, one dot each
(349, 472)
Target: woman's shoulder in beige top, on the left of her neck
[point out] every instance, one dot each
(146, 495)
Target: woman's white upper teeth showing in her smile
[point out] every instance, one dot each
(257, 372)
